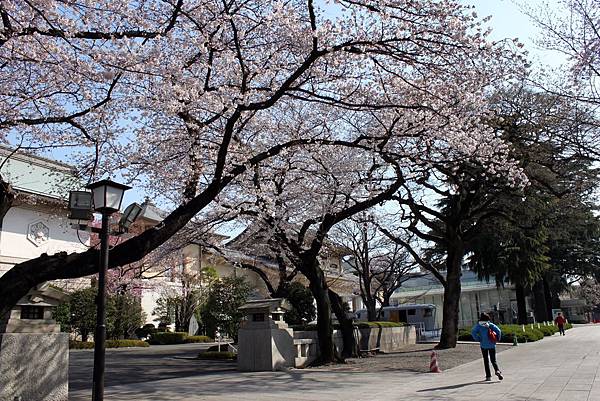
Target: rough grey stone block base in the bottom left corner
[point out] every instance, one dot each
(34, 366)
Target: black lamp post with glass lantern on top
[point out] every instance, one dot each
(107, 197)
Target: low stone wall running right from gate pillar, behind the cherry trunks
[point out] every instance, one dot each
(382, 339)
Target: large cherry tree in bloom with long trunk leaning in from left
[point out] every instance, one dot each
(184, 98)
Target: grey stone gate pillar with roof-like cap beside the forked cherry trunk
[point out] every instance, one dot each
(265, 341)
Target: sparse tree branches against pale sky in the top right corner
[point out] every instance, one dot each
(572, 28)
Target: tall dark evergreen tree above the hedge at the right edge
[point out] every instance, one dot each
(548, 232)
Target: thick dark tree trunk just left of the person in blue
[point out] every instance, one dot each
(452, 291)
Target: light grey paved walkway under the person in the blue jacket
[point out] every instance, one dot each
(555, 369)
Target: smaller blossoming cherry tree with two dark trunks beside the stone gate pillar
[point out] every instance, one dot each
(299, 199)
